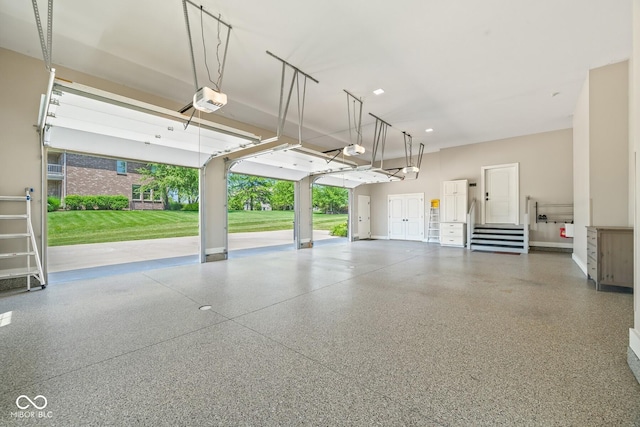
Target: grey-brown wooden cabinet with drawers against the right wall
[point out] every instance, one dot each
(610, 256)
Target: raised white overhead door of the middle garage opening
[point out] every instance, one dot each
(289, 164)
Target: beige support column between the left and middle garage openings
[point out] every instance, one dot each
(213, 211)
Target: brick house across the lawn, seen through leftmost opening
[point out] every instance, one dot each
(90, 175)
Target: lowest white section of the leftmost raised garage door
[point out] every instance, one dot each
(109, 146)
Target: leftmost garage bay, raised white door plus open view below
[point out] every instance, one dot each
(150, 153)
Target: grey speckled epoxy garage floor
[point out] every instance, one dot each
(367, 333)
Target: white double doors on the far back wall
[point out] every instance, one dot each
(406, 217)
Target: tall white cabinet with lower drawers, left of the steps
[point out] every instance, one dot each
(453, 228)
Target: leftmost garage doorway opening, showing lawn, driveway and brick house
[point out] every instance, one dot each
(104, 211)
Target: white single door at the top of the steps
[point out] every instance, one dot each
(501, 194)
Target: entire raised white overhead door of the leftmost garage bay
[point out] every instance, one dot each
(90, 121)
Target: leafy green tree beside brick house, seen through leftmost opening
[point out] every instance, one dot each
(167, 179)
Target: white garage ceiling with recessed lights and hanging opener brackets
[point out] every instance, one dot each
(471, 70)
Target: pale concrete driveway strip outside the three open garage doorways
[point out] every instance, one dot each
(74, 257)
